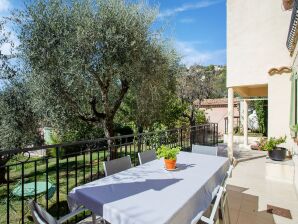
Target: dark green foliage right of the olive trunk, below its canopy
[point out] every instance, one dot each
(143, 112)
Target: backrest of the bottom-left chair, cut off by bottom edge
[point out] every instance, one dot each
(40, 215)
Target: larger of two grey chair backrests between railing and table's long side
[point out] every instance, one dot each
(117, 165)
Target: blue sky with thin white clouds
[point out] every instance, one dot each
(197, 28)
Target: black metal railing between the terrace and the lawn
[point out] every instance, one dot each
(49, 178)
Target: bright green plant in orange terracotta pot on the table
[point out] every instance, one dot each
(170, 156)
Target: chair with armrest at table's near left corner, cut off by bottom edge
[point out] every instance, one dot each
(41, 216)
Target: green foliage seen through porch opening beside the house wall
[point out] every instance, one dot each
(261, 108)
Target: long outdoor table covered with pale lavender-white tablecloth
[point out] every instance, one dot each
(149, 194)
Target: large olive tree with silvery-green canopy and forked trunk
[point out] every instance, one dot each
(82, 57)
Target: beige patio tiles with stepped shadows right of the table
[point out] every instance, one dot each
(252, 199)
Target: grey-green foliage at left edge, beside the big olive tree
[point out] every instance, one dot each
(18, 122)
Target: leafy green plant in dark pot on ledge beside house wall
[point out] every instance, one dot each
(271, 145)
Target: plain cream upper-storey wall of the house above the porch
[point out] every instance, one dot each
(256, 40)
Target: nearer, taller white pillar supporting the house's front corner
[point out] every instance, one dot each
(230, 122)
